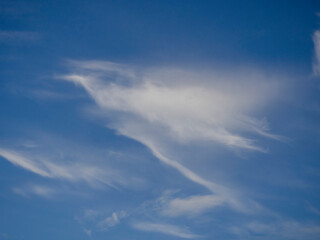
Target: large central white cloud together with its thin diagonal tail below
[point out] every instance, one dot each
(162, 107)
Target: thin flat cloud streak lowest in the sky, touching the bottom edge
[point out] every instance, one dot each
(167, 229)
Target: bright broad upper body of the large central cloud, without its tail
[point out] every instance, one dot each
(188, 111)
